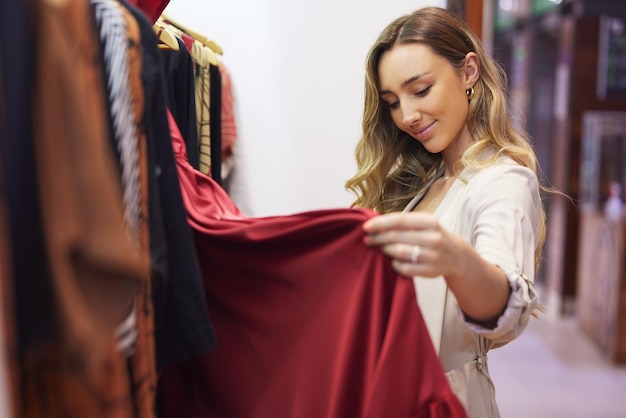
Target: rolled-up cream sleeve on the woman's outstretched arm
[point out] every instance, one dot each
(507, 216)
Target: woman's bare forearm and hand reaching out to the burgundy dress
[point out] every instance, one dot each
(480, 287)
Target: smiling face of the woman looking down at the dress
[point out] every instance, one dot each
(427, 96)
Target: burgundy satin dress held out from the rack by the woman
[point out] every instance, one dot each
(309, 321)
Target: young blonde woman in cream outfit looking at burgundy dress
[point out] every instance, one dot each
(457, 187)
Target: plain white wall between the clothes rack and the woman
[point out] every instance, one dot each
(297, 70)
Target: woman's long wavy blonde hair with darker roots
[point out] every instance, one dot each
(392, 166)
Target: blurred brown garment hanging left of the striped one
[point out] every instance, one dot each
(94, 269)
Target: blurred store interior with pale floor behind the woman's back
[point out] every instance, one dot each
(566, 64)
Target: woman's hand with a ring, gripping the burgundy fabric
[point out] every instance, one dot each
(416, 242)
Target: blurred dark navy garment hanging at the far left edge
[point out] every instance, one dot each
(33, 325)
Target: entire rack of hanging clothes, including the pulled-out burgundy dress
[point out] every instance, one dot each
(131, 286)
